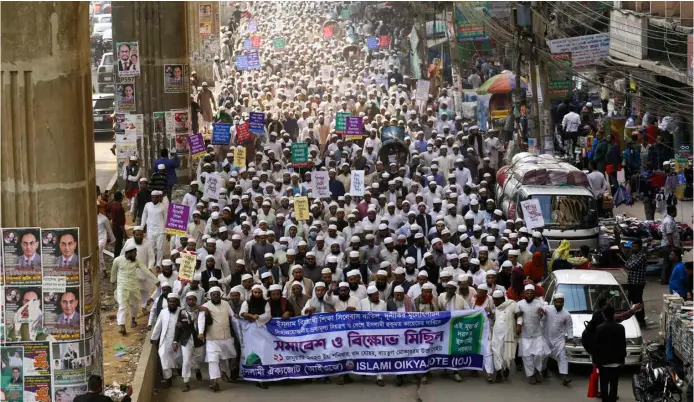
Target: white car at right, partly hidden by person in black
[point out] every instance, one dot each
(581, 289)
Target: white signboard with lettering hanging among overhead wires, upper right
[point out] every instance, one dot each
(585, 50)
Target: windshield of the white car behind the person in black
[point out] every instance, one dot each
(582, 299)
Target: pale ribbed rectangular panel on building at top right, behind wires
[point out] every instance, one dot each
(628, 34)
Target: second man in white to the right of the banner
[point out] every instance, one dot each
(532, 347)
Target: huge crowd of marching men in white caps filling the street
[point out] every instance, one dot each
(425, 236)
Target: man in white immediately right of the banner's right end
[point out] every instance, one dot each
(503, 343)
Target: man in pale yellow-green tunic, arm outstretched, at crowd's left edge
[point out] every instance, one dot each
(124, 274)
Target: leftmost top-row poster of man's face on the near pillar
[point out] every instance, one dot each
(22, 256)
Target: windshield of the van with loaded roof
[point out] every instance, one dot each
(567, 211)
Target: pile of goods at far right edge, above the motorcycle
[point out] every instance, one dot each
(676, 321)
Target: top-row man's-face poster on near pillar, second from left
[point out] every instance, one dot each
(61, 255)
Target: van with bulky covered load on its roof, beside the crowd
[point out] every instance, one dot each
(567, 204)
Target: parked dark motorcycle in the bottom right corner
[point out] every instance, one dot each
(657, 381)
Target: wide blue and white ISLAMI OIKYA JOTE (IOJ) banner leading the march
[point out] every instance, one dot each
(364, 343)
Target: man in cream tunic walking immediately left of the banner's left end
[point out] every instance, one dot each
(219, 344)
